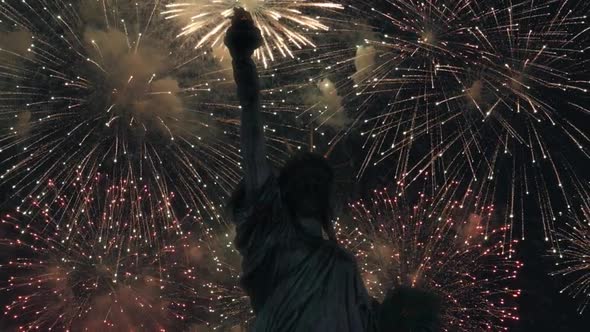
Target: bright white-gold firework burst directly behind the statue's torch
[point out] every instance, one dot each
(283, 24)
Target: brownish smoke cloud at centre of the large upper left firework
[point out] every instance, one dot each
(129, 75)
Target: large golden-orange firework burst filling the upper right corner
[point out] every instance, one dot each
(492, 89)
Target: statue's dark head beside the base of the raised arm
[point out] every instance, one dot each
(306, 183)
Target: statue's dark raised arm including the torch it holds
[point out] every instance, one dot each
(242, 39)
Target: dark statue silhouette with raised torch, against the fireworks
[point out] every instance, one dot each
(297, 276)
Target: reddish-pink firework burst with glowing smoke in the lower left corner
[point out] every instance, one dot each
(86, 266)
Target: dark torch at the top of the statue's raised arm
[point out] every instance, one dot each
(243, 37)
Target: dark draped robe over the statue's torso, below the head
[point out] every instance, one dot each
(296, 281)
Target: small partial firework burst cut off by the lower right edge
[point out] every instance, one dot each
(573, 257)
